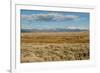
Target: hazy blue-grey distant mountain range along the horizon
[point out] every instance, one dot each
(53, 30)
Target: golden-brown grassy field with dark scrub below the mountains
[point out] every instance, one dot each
(54, 46)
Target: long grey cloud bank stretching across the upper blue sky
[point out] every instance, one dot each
(49, 17)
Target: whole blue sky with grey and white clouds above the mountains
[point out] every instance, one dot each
(36, 19)
